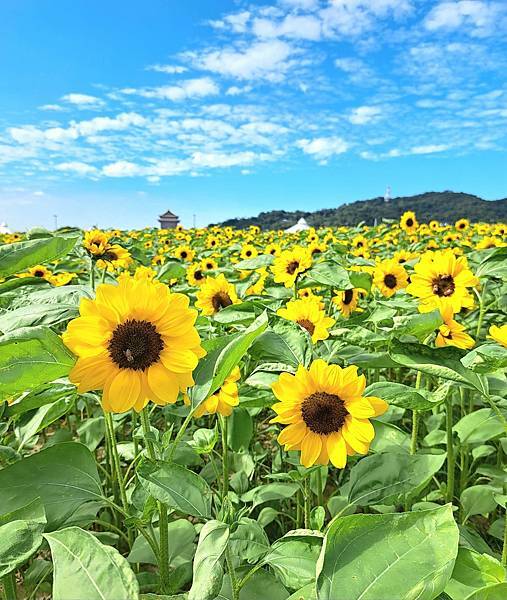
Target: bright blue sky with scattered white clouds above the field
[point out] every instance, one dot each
(112, 112)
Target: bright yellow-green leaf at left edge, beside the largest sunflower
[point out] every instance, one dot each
(30, 357)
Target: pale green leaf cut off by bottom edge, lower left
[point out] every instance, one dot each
(85, 568)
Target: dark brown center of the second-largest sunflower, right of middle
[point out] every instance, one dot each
(323, 413)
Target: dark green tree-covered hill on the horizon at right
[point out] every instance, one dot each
(445, 207)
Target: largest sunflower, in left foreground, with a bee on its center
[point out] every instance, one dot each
(137, 342)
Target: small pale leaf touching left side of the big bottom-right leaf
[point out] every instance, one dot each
(294, 557)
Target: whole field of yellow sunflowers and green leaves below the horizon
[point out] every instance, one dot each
(254, 415)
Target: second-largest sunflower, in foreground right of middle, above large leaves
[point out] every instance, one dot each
(326, 413)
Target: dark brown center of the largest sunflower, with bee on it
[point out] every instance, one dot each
(135, 345)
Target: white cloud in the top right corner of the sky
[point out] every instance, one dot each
(481, 17)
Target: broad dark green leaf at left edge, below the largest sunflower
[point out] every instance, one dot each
(64, 476)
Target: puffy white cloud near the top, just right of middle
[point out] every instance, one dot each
(261, 60)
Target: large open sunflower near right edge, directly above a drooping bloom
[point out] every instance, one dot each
(443, 276)
